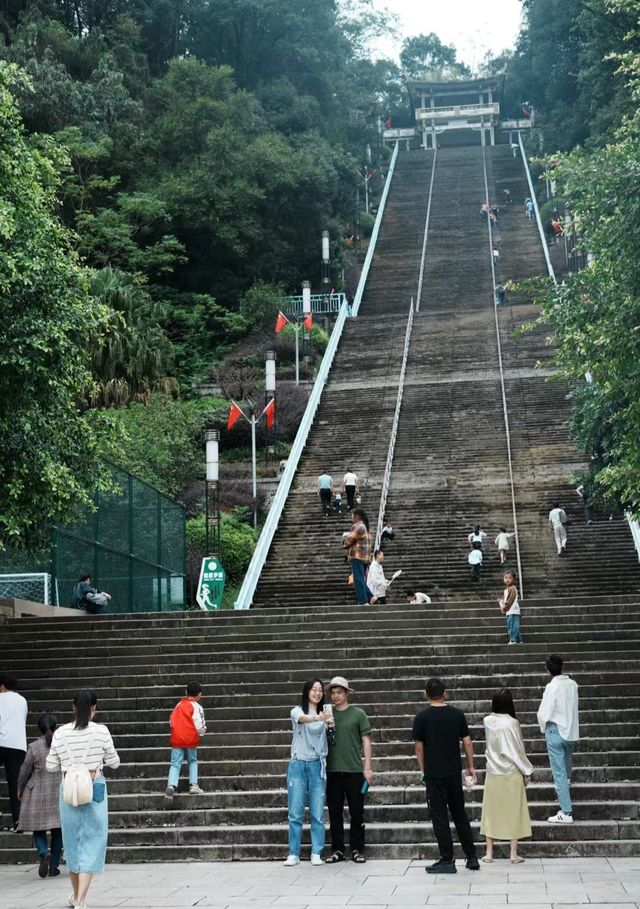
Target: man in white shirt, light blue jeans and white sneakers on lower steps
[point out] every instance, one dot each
(558, 720)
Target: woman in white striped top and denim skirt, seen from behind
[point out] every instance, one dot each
(84, 827)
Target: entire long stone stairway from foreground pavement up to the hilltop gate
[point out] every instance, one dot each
(450, 471)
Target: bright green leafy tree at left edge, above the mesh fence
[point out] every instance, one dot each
(48, 323)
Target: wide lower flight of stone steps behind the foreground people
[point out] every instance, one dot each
(252, 667)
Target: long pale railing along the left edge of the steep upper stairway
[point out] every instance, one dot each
(260, 553)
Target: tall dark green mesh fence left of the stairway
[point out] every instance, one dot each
(132, 545)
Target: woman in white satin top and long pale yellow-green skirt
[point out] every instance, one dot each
(505, 813)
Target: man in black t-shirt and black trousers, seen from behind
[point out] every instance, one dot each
(437, 732)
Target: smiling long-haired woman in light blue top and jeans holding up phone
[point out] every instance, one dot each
(307, 771)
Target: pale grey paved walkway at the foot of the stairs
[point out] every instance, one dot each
(536, 884)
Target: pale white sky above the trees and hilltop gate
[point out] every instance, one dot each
(472, 26)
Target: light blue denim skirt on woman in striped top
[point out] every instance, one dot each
(84, 835)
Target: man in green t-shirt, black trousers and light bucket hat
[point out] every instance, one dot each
(345, 776)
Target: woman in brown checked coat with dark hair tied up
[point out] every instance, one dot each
(38, 792)
